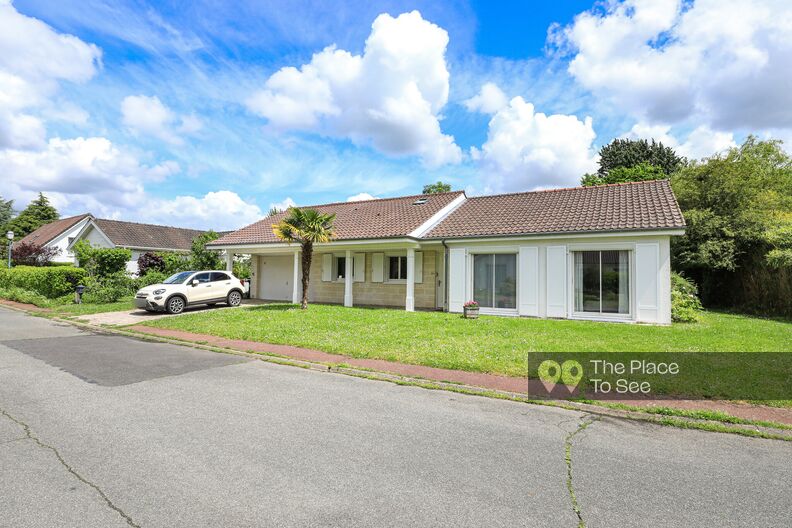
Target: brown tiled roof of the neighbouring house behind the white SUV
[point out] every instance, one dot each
(134, 235)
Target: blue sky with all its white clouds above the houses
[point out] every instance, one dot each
(206, 113)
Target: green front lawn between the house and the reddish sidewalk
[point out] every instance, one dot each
(489, 344)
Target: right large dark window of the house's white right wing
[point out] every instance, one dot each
(602, 282)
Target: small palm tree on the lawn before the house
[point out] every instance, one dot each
(305, 227)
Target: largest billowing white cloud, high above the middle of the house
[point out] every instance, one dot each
(390, 96)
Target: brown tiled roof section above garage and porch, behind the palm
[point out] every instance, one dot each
(384, 218)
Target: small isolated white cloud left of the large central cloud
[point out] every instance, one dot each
(149, 116)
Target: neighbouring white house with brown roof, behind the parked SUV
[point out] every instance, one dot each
(139, 238)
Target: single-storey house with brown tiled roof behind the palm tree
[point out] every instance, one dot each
(598, 253)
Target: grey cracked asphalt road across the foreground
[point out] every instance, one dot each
(107, 431)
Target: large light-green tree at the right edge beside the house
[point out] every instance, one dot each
(738, 241)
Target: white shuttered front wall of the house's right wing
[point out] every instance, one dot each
(547, 284)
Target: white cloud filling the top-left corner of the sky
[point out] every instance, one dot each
(34, 58)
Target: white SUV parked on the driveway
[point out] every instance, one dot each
(189, 288)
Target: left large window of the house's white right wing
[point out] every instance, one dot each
(495, 280)
